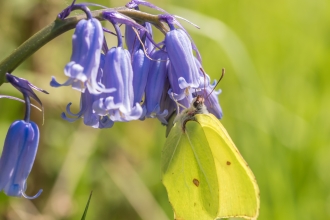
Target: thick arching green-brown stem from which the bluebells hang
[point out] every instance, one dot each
(59, 27)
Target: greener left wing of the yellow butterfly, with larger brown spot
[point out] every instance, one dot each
(189, 174)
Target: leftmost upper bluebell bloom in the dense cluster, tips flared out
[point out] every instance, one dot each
(82, 70)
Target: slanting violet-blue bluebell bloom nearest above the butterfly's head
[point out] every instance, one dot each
(181, 58)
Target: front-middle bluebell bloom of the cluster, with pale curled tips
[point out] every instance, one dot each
(118, 73)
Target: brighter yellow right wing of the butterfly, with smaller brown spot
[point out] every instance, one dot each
(238, 189)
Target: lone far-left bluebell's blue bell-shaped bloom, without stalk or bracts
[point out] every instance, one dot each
(17, 158)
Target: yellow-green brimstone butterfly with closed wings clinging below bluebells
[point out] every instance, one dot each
(204, 174)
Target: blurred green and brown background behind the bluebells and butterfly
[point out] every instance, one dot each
(275, 100)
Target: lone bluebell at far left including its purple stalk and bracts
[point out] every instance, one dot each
(21, 144)
